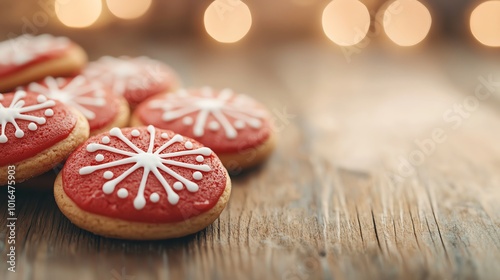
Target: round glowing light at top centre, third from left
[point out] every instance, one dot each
(228, 21)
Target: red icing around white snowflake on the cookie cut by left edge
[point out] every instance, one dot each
(56, 129)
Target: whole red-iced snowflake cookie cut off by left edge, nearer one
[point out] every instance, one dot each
(36, 134)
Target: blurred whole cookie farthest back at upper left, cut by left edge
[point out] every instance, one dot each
(30, 58)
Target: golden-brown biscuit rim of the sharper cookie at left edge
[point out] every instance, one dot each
(49, 158)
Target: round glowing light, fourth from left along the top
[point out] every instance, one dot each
(346, 22)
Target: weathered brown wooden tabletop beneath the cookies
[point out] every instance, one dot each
(332, 202)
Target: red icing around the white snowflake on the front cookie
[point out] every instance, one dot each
(86, 190)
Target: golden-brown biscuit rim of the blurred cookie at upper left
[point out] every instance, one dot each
(71, 63)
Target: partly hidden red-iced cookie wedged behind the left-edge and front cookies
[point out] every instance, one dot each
(103, 109)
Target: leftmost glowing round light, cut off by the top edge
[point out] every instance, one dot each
(78, 13)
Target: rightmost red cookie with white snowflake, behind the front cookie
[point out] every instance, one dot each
(234, 126)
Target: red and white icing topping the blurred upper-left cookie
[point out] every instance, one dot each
(52, 49)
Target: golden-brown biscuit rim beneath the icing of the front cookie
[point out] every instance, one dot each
(118, 228)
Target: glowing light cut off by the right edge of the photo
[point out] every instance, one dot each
(485, 23)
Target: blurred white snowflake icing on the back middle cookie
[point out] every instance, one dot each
(127, 74)
